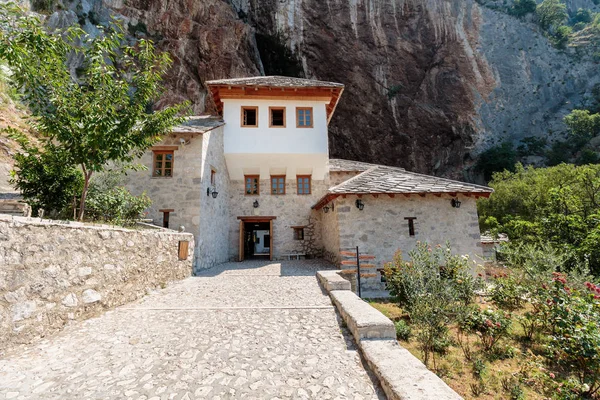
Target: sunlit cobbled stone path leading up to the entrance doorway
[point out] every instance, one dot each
(252, 330)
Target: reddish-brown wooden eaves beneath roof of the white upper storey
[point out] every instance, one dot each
(331, 95)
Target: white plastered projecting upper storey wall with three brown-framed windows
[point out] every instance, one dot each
(265, 150)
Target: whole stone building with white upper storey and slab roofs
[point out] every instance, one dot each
(257, 182)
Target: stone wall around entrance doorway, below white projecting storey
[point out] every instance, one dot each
(290, 209)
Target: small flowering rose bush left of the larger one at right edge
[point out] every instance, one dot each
(490, 325)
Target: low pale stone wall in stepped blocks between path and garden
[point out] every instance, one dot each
(402, 376)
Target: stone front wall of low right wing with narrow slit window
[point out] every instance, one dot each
(380, 229)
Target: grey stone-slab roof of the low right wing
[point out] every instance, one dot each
(382, 179)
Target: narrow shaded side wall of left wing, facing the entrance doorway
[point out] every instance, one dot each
(212, 240)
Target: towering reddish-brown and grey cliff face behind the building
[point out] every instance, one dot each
(429, 83)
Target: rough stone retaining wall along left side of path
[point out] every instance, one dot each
(52, 271)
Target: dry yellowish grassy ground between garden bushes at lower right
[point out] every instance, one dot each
(490, 377)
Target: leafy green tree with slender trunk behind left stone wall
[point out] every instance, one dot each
(99, 112)
